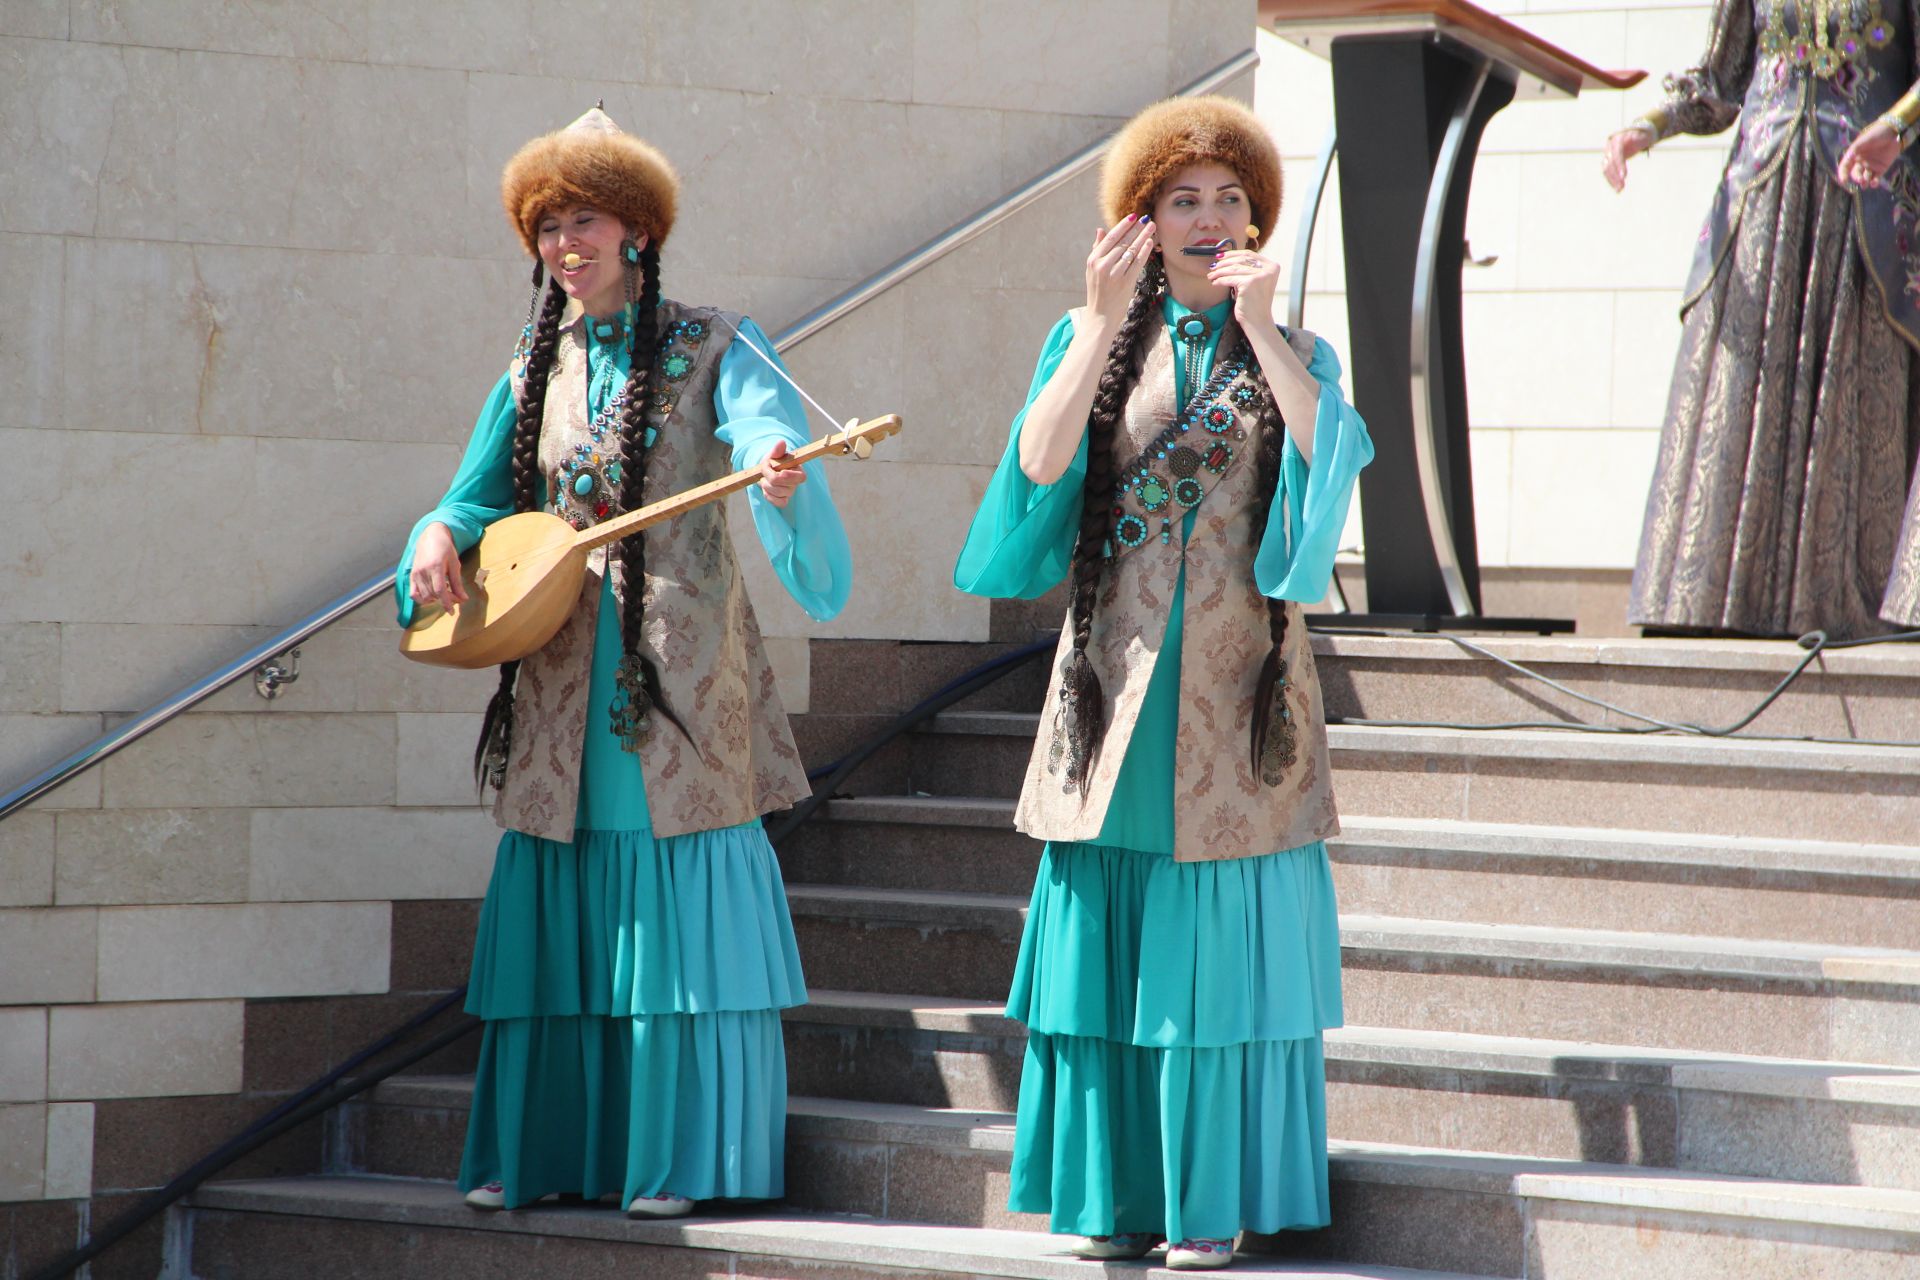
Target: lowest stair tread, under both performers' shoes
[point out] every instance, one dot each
(809, 1237)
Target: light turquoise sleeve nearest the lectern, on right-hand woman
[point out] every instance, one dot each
(1308, 515)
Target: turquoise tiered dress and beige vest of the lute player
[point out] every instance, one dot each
(635, 947)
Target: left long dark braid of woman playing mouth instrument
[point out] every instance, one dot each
(1082, 717)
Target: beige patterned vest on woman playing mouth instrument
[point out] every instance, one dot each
(1220, 807)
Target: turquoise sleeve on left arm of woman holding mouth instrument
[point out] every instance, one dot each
(1022, 536)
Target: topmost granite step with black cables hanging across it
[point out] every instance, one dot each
(1852, 694)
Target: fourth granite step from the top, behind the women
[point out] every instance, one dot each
(1616, 987)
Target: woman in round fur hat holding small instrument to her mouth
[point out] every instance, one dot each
(1188, 465)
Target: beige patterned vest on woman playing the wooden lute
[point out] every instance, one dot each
(700, 627)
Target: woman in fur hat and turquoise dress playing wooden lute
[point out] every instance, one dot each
(635, 947)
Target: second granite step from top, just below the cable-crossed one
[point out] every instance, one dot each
(1806, 792)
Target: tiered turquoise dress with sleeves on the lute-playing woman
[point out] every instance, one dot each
(633, 985)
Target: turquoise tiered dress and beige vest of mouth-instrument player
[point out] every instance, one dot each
(1174, 978)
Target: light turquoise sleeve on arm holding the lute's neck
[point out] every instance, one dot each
(805, 542)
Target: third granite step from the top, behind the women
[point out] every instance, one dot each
(1756, 888)
